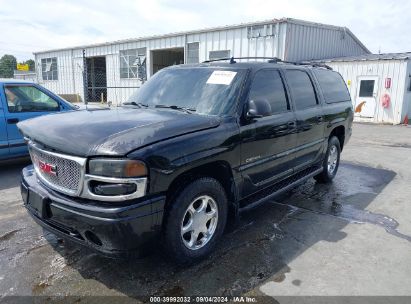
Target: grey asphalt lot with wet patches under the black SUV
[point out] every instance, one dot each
(352, 237)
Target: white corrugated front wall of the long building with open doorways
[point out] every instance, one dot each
(70, 63)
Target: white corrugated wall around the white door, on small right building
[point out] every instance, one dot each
(394, 69)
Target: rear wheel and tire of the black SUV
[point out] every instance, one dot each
(331, 161)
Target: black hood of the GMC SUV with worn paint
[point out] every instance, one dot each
(114, 132)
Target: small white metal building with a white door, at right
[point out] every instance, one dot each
(380, 85)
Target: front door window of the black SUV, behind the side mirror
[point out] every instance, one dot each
(268, 85)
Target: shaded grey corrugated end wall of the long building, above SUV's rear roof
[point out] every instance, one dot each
(309, 42)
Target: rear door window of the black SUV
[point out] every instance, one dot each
(302, 89)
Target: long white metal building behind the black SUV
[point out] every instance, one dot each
(114, 68)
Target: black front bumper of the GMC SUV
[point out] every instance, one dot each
(112, 229)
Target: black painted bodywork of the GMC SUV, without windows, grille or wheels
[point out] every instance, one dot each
(248, 156)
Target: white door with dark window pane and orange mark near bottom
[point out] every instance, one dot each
(366, 98)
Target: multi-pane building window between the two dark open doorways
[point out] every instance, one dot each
(133, 63)
